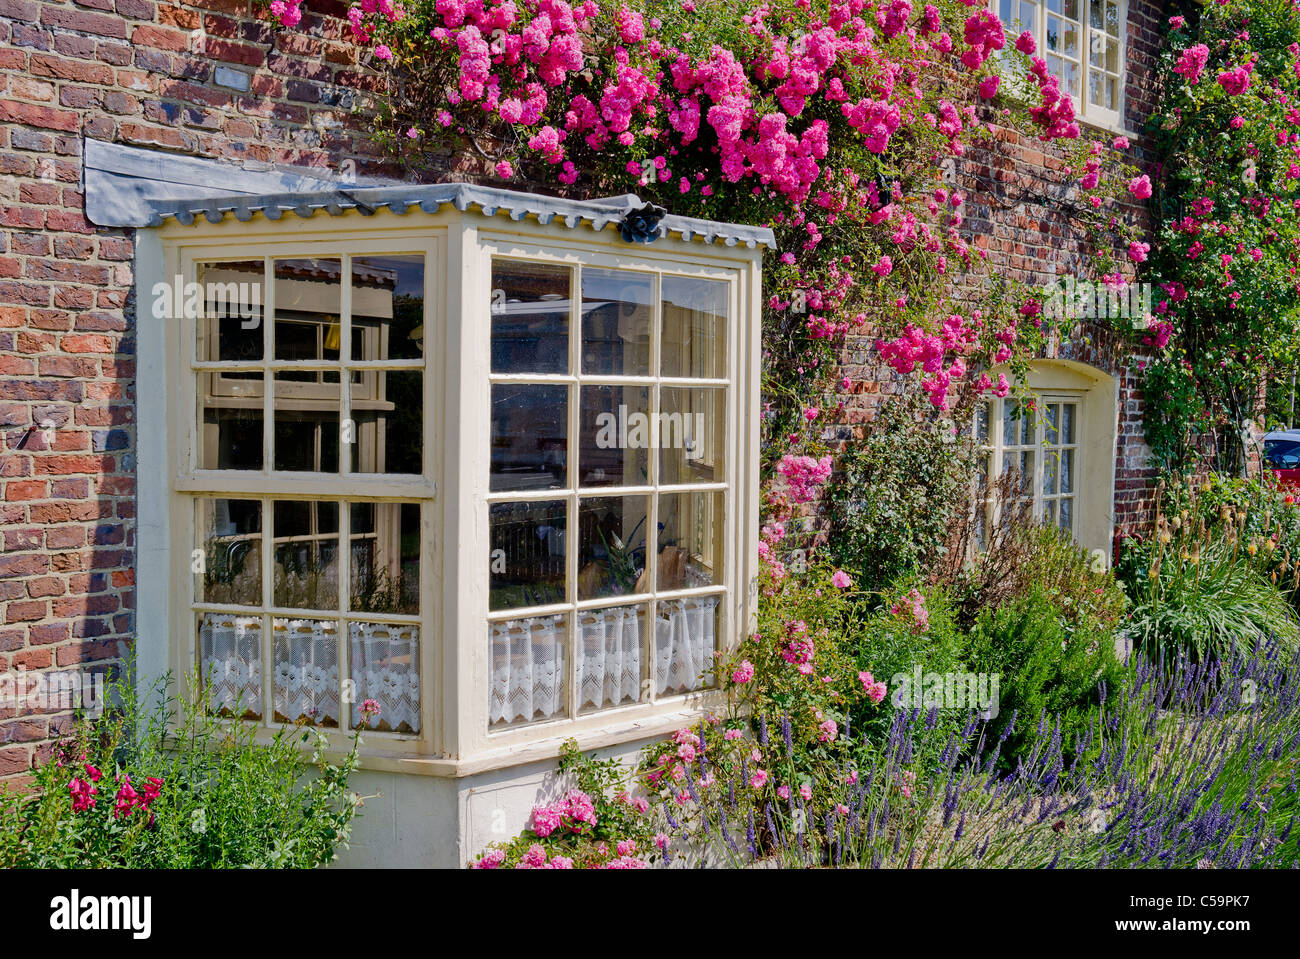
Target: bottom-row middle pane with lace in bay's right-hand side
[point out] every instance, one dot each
(610, 666)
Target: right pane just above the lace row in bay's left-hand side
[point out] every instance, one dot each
(385, 558)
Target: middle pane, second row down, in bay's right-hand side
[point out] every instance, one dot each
(616, 436)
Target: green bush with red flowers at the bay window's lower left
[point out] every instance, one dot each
(128, 791)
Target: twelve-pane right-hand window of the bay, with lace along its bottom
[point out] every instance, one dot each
(609, 514)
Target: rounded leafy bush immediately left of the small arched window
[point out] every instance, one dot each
(898, 494)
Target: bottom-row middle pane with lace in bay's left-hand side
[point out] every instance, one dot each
(306, 680)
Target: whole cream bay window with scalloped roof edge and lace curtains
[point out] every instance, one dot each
(461, 452)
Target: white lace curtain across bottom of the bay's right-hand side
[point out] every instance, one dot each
(528, 667)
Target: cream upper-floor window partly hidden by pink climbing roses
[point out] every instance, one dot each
(1084, 44)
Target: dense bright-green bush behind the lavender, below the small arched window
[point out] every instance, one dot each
(1045, 662)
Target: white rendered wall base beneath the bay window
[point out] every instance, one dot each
(426, 822)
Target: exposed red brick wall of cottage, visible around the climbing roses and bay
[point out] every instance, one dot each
(209, 80)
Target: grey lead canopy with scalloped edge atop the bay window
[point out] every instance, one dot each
(138, 188)
